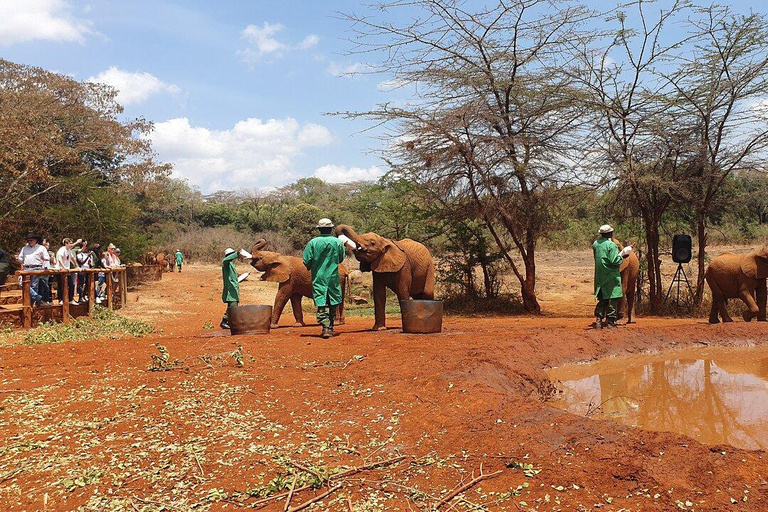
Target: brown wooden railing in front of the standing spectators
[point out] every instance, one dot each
(113, 290)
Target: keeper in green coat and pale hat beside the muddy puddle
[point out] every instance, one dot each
(608, 290)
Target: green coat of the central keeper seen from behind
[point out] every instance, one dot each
(322, 256)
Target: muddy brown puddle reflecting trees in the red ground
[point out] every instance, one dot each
(714, 395)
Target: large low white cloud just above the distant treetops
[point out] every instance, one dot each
(252, 154)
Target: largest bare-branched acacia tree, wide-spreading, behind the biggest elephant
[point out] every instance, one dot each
(493, 116)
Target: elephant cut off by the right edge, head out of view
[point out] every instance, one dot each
(742, 276)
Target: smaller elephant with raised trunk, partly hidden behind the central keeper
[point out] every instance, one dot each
(295, 282)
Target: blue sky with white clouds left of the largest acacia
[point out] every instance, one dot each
(237, 89)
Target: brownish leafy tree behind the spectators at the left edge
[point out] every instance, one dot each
(60, 139)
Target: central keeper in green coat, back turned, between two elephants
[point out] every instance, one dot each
(322, 256)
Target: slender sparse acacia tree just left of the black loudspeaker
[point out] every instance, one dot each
(638, 140)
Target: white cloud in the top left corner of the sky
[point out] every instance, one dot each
(50, 20)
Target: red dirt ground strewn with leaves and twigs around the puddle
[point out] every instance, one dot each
(86, 426)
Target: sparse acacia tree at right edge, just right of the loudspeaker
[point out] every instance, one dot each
(720, 88)
